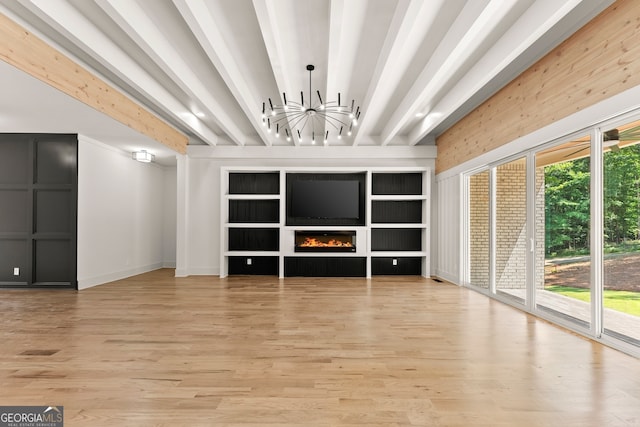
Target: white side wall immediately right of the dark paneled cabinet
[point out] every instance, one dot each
(122, 226)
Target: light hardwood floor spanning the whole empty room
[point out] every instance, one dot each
(154, 350)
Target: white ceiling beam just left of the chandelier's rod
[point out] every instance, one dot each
(277, 24)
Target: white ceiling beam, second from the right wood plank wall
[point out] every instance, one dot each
(448, 59)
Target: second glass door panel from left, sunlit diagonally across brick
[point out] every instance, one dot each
(511, 230)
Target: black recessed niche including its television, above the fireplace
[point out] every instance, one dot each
(325, 199)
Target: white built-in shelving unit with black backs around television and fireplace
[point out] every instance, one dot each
(391, 238)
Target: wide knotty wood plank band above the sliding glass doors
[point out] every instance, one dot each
(600, 60)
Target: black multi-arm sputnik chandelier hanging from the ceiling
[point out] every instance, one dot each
(317, 116)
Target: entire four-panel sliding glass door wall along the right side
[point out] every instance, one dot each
(563, 239)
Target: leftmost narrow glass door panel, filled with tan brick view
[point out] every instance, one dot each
(479, 229)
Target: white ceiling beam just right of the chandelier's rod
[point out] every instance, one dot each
(345, 27)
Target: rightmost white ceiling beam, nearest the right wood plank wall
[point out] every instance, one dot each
(522, 35)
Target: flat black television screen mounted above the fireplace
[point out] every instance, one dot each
(325, 199)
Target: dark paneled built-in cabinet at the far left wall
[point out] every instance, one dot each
(38, 210)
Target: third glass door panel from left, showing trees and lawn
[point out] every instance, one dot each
(562, 218)
